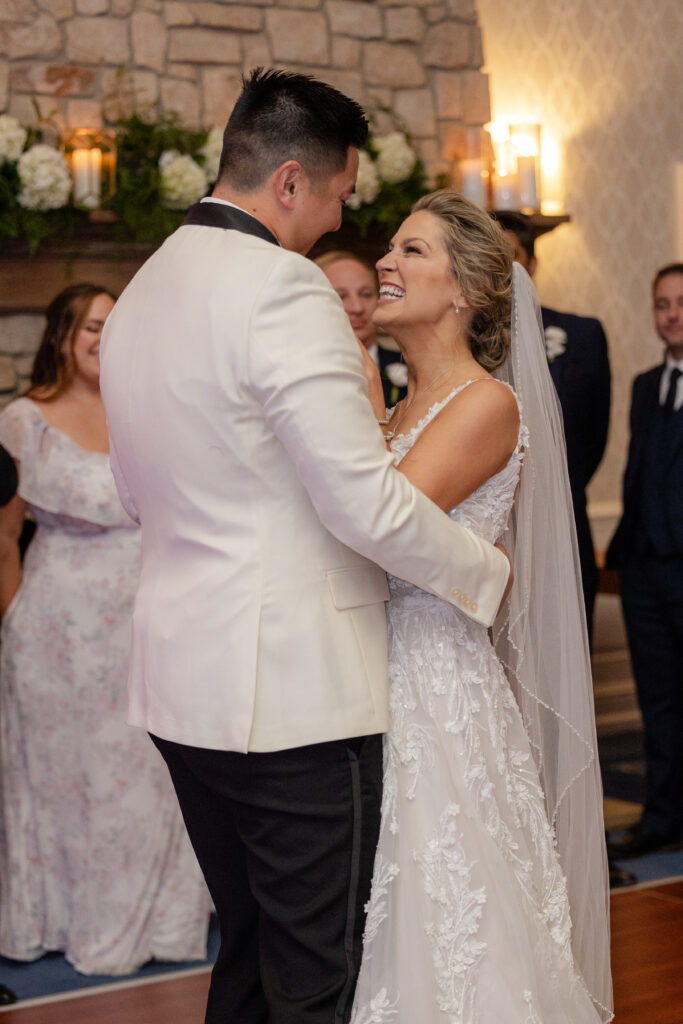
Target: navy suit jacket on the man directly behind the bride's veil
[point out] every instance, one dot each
(583, 382)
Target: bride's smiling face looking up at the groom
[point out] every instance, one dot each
(417, 285)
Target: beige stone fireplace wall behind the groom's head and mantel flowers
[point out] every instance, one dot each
(83, 61)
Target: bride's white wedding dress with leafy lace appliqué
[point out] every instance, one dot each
(468, 921)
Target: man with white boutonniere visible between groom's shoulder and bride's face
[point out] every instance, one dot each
(356, 283)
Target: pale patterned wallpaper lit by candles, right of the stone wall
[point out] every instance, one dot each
(606, 79)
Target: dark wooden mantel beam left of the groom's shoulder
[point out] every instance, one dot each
(28, 284)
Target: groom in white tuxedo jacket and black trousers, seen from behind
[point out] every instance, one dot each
(244, 443)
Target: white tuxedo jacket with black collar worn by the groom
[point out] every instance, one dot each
(244, 443)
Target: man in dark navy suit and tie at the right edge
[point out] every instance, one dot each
(649, 548)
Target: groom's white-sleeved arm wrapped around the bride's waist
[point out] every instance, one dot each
(307, 372)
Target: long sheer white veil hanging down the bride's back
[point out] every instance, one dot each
(542, 641)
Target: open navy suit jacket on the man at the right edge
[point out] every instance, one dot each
(645, 401)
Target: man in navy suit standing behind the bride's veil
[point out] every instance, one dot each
(577, 350)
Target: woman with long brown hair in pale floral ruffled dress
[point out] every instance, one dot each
(95, 859)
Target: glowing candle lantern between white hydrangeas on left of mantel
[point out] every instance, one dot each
(92, 158)
